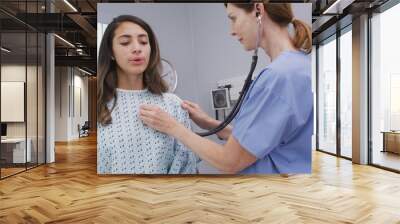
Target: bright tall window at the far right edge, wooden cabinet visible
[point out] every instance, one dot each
(385, 89)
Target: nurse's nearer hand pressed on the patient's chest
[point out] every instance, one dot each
(158, 119)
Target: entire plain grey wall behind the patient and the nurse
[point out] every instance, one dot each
(196, 38)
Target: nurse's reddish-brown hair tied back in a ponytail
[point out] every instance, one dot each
(282, 14)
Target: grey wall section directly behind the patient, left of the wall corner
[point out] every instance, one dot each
(171, 24)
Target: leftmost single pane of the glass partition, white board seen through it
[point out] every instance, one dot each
(14, 154)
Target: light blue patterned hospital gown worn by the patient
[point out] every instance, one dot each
(128, 146)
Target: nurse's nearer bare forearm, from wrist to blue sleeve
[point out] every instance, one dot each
(228, 158)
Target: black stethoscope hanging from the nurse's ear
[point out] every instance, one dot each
(245, 87)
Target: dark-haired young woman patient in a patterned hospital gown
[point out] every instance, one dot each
(129, 75)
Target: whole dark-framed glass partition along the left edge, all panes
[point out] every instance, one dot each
(22, 88)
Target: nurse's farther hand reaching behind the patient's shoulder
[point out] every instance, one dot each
(198, 115)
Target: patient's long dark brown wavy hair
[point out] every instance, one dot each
(108, 79)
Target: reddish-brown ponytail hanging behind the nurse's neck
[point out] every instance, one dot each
(302, 36)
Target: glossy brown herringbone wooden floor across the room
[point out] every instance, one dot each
(70, 191)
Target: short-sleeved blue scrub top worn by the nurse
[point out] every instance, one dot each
(275, 123)
